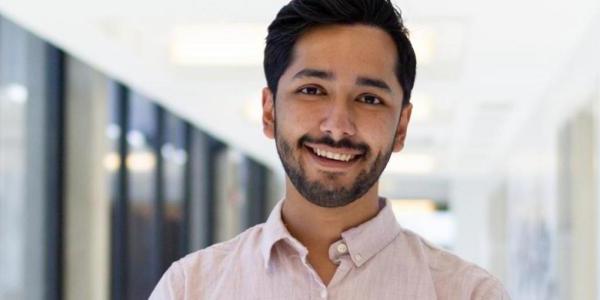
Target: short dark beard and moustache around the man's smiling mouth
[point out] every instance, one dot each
(320, 193)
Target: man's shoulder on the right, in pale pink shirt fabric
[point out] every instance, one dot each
(454, 275)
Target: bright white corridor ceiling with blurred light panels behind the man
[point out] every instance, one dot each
(483, 67)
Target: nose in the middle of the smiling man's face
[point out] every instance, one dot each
(339, 121)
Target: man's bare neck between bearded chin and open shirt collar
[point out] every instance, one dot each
(318, 227)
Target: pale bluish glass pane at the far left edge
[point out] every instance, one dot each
(30, 165)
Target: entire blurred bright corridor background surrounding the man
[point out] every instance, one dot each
(130, 135)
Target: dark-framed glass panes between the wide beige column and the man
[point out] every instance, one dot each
(180, 190)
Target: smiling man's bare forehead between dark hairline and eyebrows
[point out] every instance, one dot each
(346, 50)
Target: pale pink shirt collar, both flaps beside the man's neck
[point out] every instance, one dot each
(364, 241)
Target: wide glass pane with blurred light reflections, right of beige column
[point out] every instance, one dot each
(143, 256)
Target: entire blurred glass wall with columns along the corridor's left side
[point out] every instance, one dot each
(101, 188)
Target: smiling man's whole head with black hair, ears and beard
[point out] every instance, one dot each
(339, 75)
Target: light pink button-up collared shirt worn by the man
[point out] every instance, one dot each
(376, 260)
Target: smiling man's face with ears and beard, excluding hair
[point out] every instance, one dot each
(337, 115)
